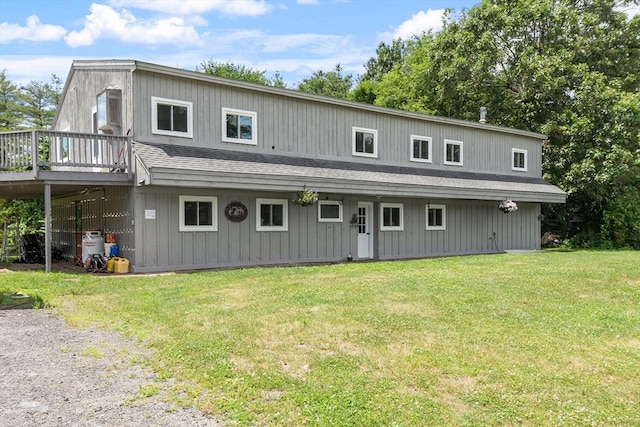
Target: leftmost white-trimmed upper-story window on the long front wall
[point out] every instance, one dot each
(171, 117)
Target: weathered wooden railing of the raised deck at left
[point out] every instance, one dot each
(65, 151)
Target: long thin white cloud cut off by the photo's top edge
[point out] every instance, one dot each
(185, 7)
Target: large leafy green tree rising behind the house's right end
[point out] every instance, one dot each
(565, 68)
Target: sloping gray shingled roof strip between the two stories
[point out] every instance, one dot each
(207, 167)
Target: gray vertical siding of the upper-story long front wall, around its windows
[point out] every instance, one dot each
(309, 128)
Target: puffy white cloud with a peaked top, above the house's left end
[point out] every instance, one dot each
(105, 23)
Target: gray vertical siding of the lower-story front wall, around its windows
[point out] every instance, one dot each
(161, 246)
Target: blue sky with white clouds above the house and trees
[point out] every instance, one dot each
(295, 38)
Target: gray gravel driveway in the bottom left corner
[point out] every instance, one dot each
(55, 375)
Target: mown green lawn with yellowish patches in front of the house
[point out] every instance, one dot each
(542, 339)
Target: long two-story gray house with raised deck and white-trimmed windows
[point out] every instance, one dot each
(191, 171)
